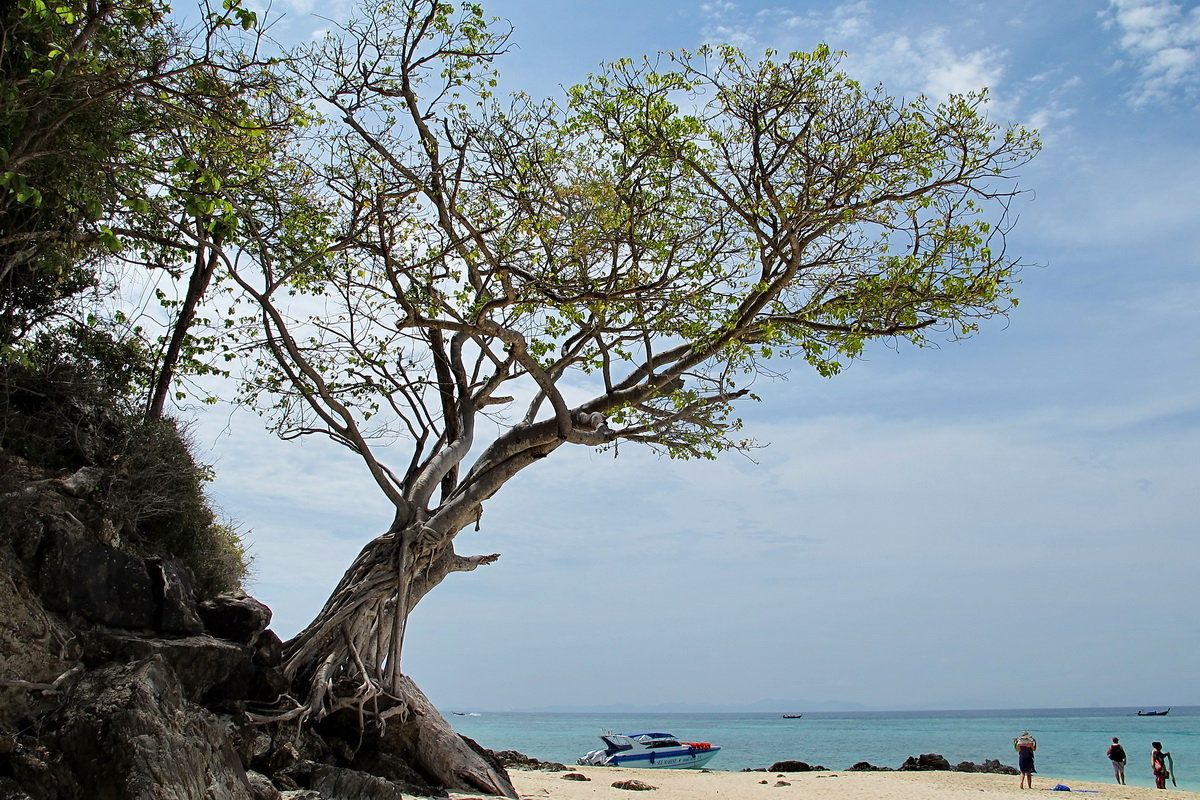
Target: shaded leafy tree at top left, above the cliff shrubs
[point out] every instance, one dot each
(123, 136)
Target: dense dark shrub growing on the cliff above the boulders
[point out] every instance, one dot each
(65, 405)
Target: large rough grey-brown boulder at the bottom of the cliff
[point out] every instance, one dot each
(128, 733)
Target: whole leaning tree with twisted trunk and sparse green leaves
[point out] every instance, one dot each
(617, 268)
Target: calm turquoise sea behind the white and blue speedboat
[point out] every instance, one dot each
(1072, 743)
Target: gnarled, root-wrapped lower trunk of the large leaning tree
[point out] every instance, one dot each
(350, 658)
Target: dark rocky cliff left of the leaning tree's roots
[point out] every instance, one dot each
(119, 683)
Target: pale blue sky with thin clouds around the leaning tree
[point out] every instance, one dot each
(1004, 522)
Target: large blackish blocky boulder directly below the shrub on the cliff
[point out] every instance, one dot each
(111, 587)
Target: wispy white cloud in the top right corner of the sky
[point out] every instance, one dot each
(1163, 41)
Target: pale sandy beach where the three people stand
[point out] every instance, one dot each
(695, 785)
